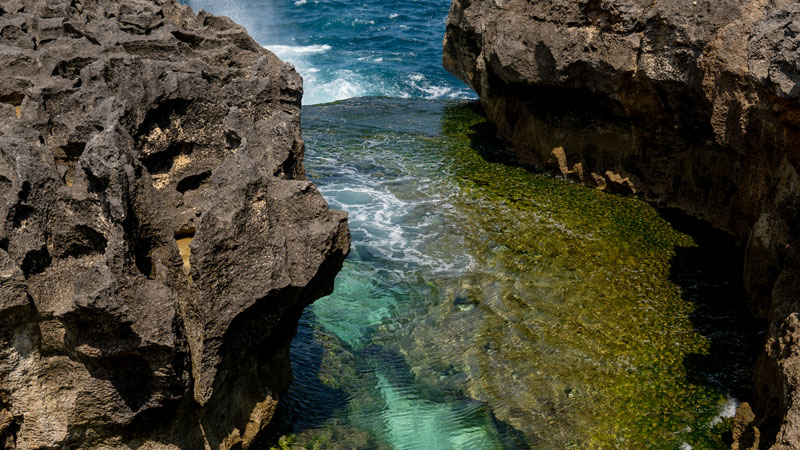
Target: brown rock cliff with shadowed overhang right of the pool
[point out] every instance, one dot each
(689, 104)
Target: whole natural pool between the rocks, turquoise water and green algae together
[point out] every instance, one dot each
(484, 306)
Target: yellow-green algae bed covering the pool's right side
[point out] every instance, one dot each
(582, 337)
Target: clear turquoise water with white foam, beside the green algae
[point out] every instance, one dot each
(377, 160)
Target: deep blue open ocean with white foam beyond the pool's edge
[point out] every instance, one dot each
(346, 49)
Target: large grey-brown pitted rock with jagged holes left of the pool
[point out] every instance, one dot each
(158, 238)
